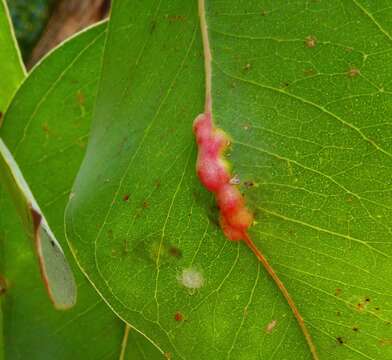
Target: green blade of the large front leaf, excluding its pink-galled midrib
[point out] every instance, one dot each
(302, 88)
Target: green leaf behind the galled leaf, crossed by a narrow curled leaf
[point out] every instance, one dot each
(46, 127)
